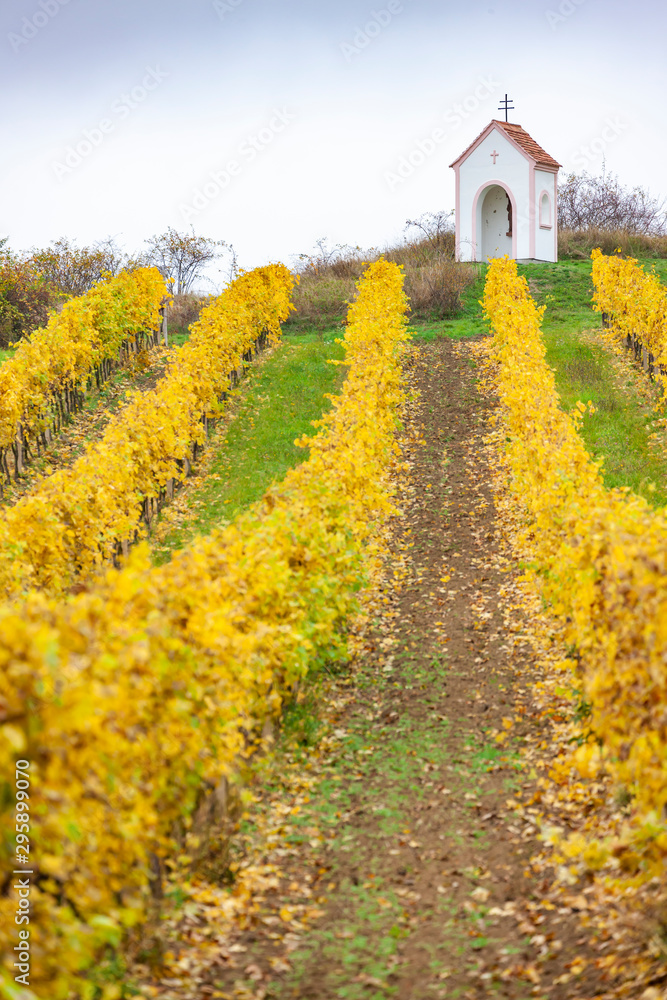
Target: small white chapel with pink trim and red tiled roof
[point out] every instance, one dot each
(506, 197)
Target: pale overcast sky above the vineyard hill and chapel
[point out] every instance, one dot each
(271, 123)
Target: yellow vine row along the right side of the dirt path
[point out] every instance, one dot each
(600, 556)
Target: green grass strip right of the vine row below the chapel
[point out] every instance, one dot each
(619, 431)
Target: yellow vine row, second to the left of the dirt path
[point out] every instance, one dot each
(78, 518)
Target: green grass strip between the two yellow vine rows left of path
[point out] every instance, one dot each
(277, 402)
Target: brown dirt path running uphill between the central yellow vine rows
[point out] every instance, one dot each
(392, 863)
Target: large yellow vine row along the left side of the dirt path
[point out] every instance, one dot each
(133, 700)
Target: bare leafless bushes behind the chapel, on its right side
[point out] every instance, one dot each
(588, 202)
